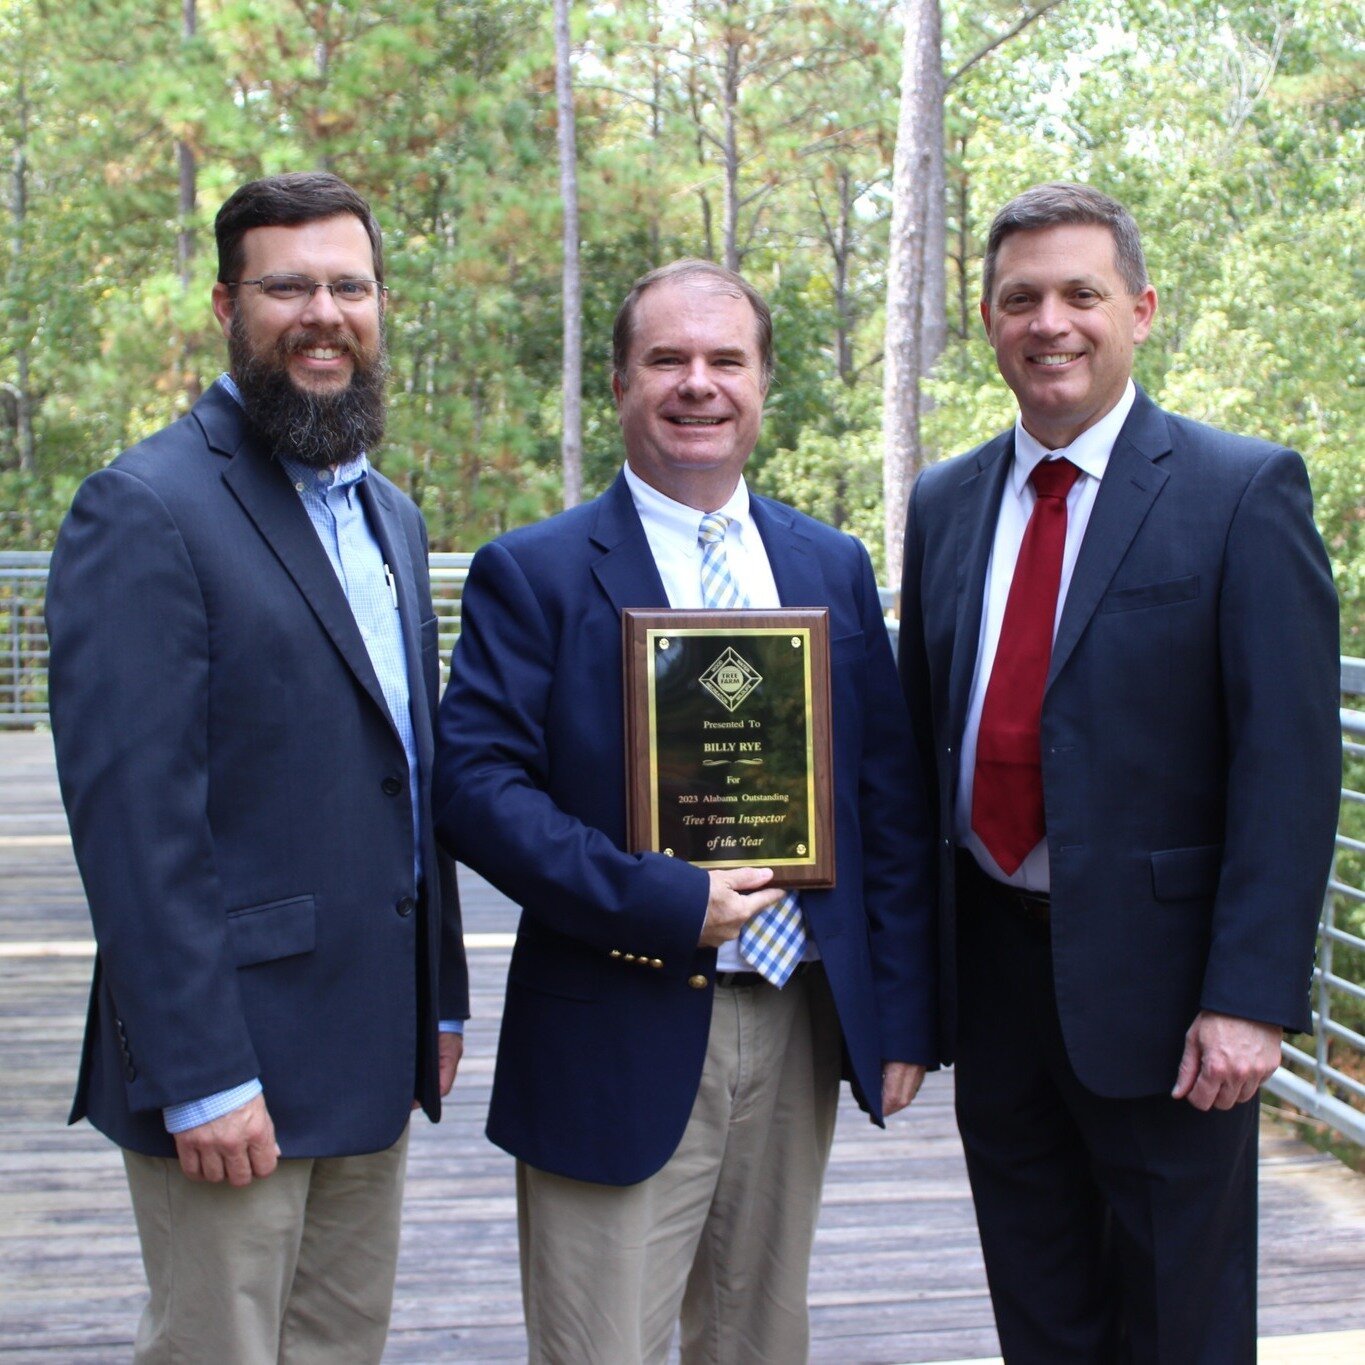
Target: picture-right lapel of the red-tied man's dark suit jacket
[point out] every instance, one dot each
(1127, 493)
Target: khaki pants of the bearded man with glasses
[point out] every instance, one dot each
(293, 1270)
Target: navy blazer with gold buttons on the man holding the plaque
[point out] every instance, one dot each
(600, 1059)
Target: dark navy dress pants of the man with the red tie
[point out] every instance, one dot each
(1115, 1231)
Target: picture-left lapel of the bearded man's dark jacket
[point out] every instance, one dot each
(265, 495)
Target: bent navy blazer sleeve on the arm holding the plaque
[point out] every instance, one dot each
(493, 810)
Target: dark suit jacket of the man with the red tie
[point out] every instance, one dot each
(1191, 732)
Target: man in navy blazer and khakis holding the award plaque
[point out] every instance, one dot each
(674, 1034)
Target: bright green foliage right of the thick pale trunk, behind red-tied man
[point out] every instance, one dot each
(1237, 137)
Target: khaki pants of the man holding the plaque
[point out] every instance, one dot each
(723, 1233)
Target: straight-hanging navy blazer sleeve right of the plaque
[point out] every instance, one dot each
(897, 851)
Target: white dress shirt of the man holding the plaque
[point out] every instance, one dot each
(672, 532)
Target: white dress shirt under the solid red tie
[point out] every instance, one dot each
(1090, 452)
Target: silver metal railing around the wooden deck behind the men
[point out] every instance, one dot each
(1323, 1076)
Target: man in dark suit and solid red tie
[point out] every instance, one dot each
(1120, 646)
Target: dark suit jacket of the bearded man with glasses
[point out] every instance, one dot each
(240, 801)
